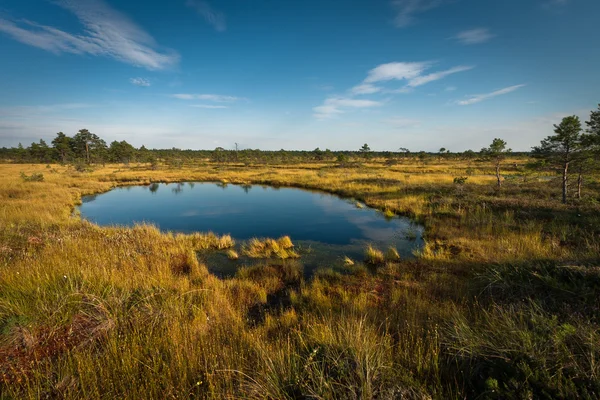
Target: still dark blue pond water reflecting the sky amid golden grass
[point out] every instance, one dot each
(325, 228)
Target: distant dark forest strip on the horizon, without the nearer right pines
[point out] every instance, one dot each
(88, 148)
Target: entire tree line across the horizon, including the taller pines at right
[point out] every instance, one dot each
(572, 148)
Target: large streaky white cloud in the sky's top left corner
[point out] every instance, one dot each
(107, 33)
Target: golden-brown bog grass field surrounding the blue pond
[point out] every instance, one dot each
(502, 302)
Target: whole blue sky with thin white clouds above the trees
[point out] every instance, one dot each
(195, 74)
